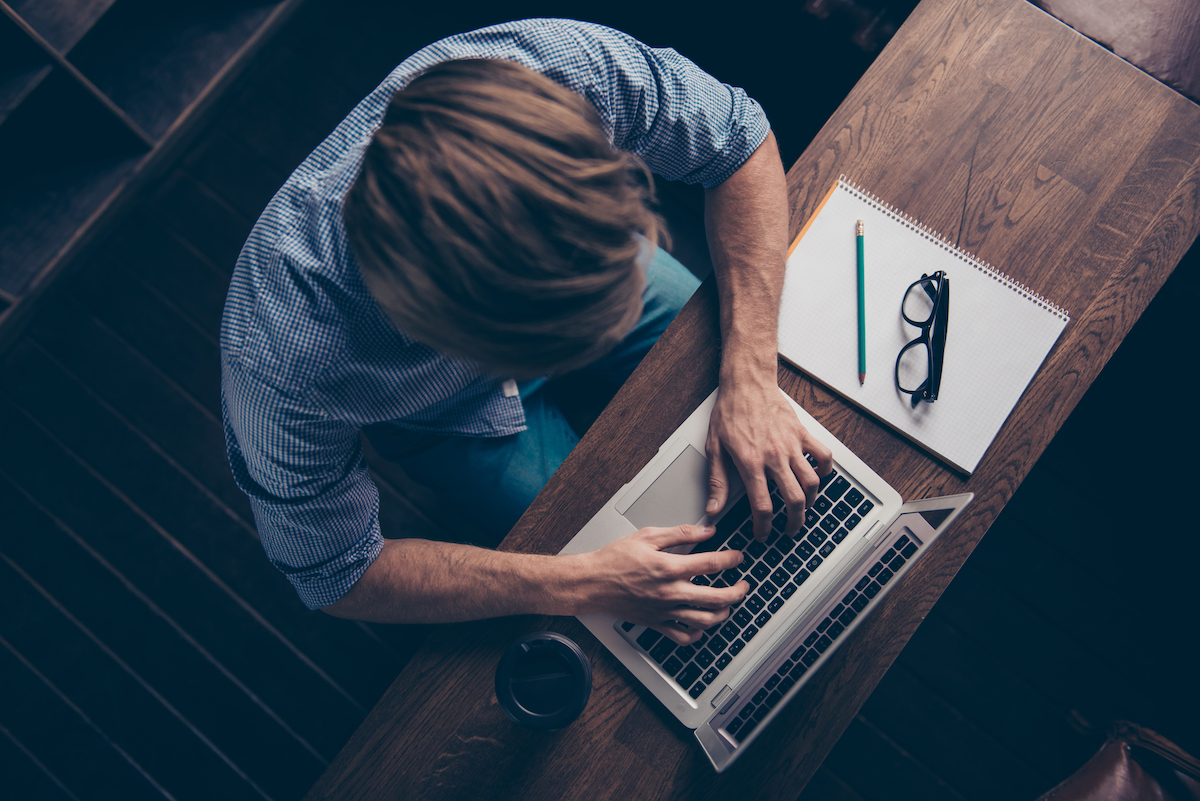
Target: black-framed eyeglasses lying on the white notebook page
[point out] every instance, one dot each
(927, 304)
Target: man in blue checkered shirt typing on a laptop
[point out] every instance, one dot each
(483, 218)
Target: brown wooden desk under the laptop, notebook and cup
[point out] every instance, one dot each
(992, 123)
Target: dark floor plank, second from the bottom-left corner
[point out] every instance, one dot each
(62, 739)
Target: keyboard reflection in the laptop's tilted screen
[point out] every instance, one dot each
(821, 639)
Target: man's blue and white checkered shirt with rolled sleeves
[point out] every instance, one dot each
(308, 357)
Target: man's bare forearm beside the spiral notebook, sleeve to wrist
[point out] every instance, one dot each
(747, 220)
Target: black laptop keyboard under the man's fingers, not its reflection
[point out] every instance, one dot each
(775, 569)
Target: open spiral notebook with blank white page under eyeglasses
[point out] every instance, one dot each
(998, 335)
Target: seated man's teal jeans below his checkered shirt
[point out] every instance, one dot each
(494, 480)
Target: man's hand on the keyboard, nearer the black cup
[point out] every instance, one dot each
(635, 580)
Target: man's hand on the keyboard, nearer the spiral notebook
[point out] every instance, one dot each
(755, 429)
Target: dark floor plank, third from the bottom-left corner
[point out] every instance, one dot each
(112, 697)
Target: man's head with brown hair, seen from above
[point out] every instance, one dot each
(494, 221)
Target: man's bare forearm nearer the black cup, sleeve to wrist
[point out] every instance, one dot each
(427, 582)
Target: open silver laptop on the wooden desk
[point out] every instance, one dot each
(807, 593)
